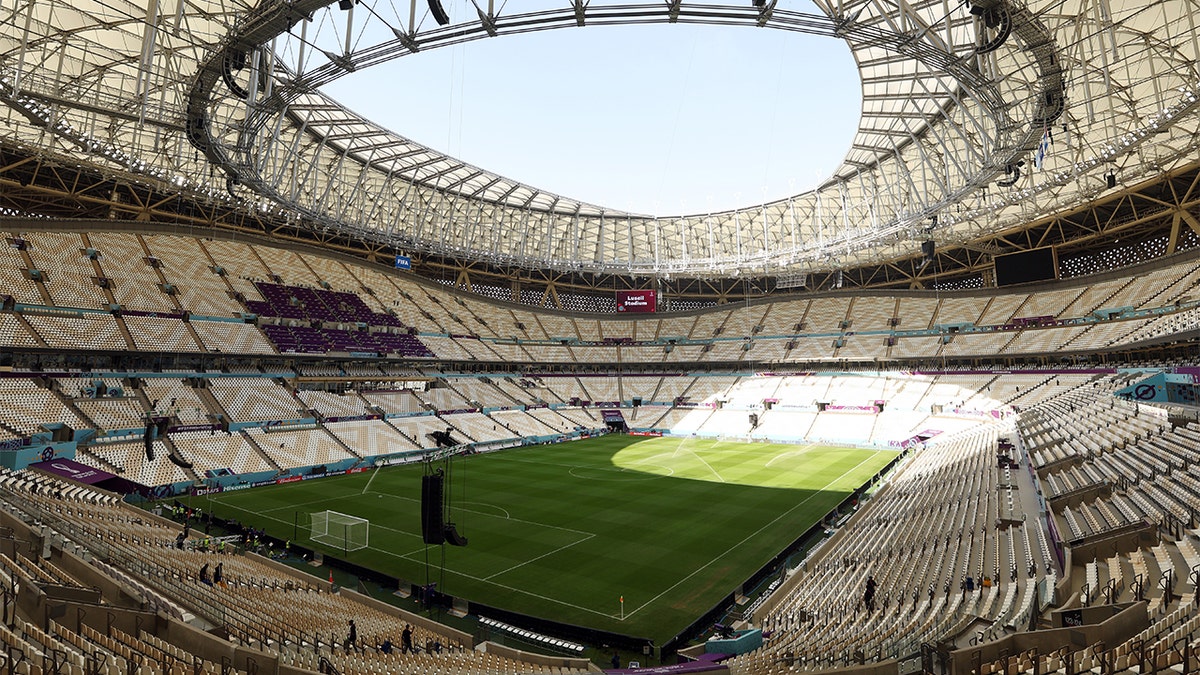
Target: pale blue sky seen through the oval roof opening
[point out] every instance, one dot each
(655, 120)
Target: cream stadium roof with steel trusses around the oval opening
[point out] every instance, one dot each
(977, 117)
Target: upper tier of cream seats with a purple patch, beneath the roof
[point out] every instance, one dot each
(171, 294)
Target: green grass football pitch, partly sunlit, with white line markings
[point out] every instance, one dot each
(565, 531)
